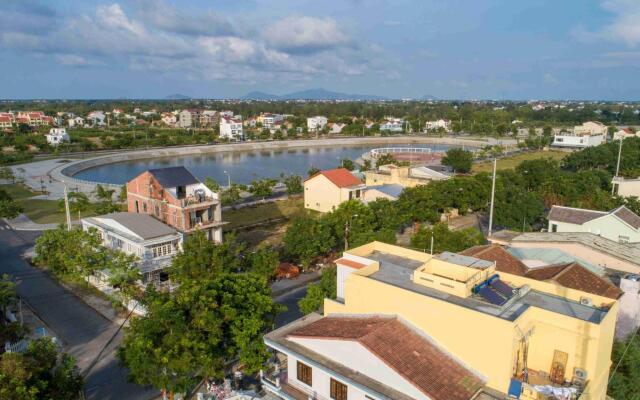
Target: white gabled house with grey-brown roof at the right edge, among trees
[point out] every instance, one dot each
(621, 224)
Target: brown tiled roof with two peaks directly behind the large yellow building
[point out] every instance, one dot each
(570, 275)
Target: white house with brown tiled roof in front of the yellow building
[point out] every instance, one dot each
(363, 357)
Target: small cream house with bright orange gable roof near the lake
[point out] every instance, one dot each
(325, 190)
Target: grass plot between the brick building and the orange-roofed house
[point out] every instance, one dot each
(263, 212)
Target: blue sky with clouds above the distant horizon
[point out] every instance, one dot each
(454, 49)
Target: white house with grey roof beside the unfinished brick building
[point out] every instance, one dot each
(152, 242)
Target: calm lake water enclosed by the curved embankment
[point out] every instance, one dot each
(243, 166)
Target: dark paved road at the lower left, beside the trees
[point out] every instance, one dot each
(83, 331)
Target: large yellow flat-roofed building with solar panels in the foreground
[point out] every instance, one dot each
(512, 330)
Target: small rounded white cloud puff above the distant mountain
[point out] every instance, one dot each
(305, 34)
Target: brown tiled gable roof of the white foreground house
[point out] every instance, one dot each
(402, 349)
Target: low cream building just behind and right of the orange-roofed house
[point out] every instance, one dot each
(404, 176)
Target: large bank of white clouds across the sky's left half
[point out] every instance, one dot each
(200, 45)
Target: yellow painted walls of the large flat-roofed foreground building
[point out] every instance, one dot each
(486, 343)
